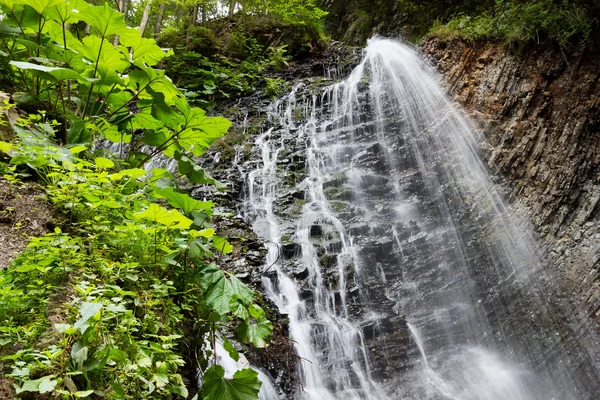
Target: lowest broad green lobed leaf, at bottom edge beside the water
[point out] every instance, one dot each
(243, 386)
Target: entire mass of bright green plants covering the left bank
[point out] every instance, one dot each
(108, 308)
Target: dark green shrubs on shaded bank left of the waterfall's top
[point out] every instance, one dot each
(227, 58)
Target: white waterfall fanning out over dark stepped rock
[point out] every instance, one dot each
(402, 271)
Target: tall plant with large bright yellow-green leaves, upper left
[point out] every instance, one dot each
(103, 91)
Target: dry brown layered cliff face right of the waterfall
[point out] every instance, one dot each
(540, 117)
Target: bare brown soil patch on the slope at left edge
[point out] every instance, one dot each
(24, 212)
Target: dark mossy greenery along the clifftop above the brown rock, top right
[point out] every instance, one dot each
(569, 23)
